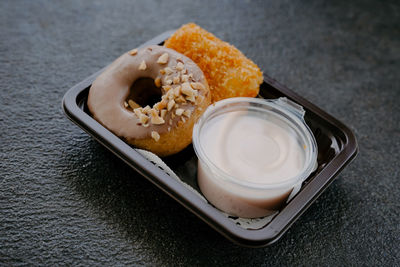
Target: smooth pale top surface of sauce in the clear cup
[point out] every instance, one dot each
(251, 148)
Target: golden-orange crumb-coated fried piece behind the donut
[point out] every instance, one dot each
(228, 72)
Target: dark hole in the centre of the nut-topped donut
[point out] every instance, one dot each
(144, 92)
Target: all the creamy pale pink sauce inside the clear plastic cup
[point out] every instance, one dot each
(249, 149)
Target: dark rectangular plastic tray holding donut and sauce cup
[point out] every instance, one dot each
(337, 146)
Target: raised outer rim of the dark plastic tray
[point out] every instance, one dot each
(250, 238)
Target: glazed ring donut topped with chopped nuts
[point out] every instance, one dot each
(151, 97)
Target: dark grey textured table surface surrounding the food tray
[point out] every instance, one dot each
(66, 200)
